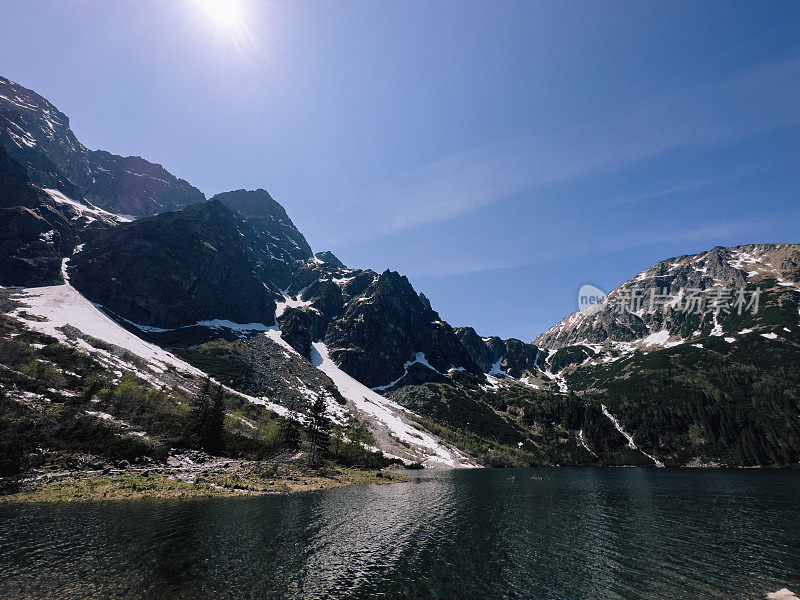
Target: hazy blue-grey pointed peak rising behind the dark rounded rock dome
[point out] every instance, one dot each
(278, 245)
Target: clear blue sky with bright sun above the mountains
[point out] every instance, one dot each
(500, 154)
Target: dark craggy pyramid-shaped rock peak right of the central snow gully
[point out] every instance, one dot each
(385, 326)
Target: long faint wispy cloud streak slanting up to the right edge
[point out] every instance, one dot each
(747, 104)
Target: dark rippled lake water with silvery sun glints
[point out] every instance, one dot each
(576, 533)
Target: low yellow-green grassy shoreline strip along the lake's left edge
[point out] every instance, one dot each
(137, 486)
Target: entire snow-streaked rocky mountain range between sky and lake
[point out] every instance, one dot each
(146, 275)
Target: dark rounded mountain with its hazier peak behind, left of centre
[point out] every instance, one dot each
(225, 259)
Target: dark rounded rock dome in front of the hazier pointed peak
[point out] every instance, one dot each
(176, 269)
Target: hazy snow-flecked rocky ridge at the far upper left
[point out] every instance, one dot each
(37, 135)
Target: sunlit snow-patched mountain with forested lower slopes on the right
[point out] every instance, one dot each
(674, 386)
